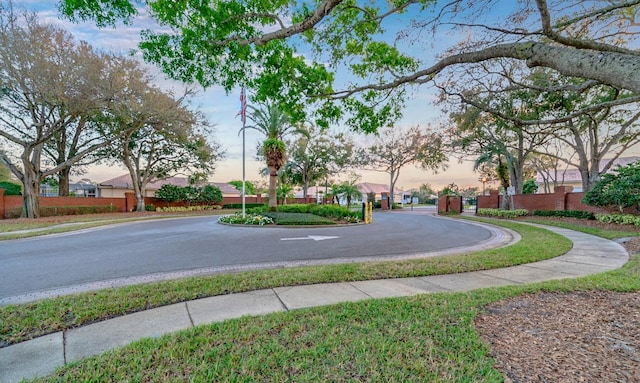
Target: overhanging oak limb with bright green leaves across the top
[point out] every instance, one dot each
(301, 52)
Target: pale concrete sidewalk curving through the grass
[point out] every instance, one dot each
(40, 356)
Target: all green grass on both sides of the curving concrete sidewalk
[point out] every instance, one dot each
(428, 337)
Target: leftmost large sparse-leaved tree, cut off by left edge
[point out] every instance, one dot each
(42, 97)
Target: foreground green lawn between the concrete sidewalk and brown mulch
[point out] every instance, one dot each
(426, 338)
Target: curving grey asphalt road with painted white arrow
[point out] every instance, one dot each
(170, 248)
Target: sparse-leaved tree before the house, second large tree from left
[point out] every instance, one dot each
(157, 135)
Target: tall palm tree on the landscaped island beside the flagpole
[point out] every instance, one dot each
(274, 124)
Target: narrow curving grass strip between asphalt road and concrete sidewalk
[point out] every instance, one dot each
(22, 322)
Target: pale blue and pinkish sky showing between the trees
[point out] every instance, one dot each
(221, 110)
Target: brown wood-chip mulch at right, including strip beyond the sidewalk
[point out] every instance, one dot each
(589, 336)
